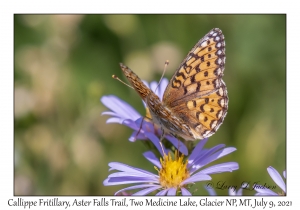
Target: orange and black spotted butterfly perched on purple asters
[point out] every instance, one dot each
(195, 101)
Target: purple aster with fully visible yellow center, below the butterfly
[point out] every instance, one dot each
(174, 175)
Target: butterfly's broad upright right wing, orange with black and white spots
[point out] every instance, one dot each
(196, 92)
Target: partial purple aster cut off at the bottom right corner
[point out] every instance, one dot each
(262, 190)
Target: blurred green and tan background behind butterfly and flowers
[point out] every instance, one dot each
(63, 66)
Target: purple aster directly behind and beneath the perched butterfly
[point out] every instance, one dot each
(122, 113)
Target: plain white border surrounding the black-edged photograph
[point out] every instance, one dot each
(8, 8)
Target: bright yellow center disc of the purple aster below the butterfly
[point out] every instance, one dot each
(172, 172)
